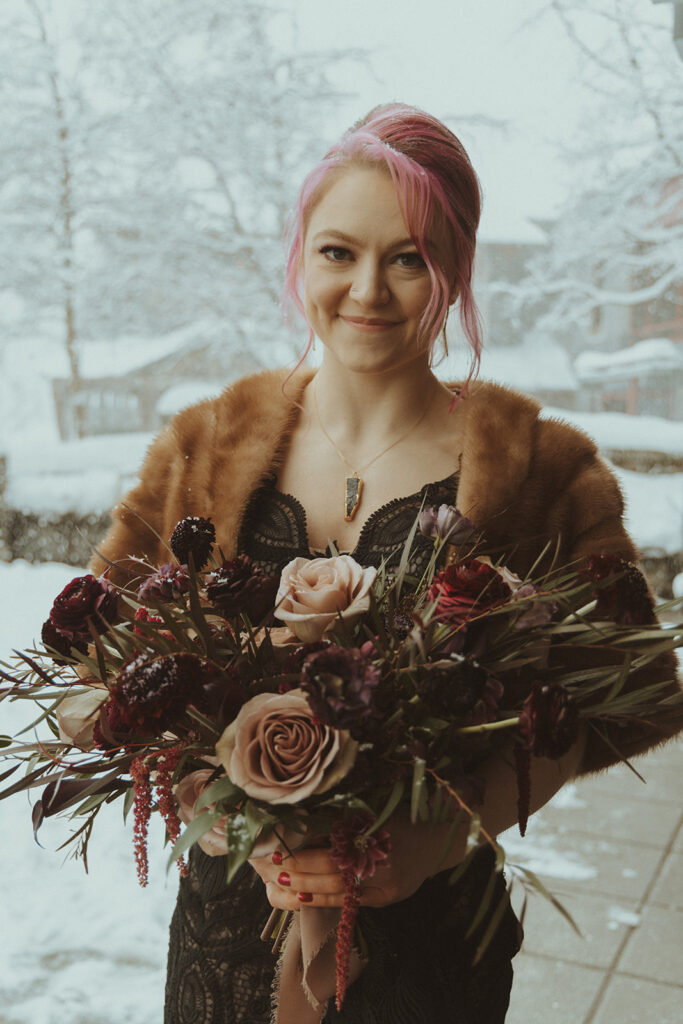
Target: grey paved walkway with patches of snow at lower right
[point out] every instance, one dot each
(618, 849)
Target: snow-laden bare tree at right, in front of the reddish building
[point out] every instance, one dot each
(615, 258)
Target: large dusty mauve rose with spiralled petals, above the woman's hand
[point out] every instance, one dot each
(276, 751)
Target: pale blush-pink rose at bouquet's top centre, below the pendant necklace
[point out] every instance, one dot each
(315, 592)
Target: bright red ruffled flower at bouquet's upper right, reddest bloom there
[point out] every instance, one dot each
(465, 590)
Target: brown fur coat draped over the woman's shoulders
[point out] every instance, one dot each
(523, 480)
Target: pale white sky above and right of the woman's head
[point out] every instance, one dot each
(508, 60)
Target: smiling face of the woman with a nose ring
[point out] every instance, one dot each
(365, 285)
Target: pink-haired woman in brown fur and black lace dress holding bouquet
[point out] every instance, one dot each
(382, 245)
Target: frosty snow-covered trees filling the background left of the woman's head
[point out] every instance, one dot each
(149, 155)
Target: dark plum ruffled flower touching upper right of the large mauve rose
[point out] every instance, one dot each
(340, 686)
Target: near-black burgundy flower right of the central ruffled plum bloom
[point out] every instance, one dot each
(462, 691)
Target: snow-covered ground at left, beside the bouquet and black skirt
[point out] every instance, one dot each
(86, 949)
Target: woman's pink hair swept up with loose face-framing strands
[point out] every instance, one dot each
(435, 182)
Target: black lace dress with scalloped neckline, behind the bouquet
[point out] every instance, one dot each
(421, 961)
